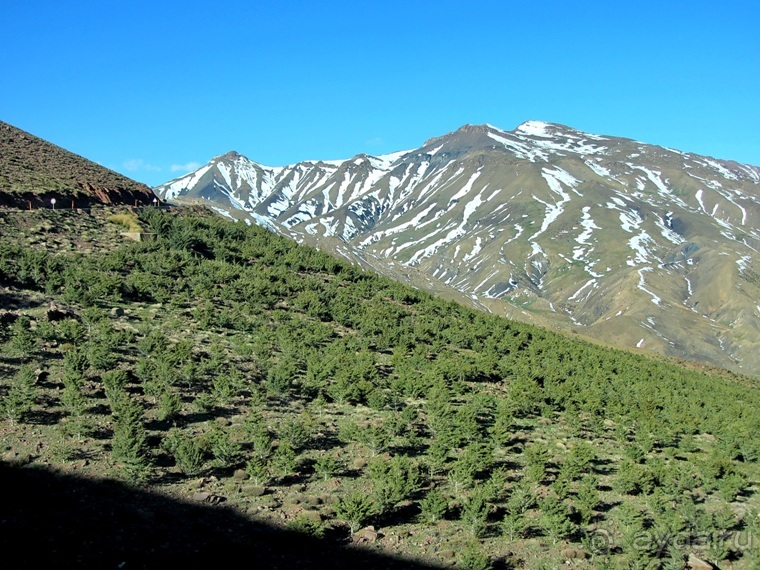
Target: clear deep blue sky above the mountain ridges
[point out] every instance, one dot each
(150, 88)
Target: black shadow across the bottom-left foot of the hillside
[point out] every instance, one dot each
(50, 519)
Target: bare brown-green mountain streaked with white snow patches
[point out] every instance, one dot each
(634, 244)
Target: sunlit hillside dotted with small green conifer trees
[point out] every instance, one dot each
(221, 361)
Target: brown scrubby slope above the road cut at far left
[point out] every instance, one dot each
(32, 171)
